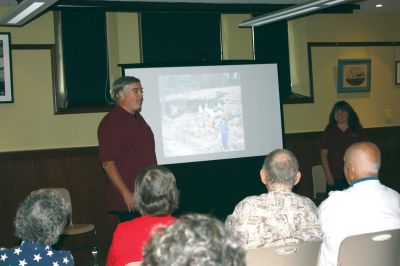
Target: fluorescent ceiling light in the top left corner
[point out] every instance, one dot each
(25, 11)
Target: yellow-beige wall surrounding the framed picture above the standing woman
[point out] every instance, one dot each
(371, 107)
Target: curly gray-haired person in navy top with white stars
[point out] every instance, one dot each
(39, 221)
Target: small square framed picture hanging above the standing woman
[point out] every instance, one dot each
(354, 75)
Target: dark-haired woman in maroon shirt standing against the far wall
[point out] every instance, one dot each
(344, 128)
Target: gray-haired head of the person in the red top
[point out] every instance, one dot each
(156, 193)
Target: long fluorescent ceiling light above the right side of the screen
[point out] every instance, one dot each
(289, 12)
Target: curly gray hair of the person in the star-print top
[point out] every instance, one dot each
(41, 217)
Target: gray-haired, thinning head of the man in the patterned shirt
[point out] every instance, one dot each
(281, 167)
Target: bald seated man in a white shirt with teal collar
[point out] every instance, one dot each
(366, 207)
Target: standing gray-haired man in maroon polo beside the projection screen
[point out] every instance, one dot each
(126, 145)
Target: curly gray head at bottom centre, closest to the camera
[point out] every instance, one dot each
(194, 239)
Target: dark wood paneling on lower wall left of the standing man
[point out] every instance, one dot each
(76, 169)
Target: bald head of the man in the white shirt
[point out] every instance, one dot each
(362, 159)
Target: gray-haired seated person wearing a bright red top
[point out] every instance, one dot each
(156, 197)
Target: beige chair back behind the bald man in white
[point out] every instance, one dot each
(379, 248)
